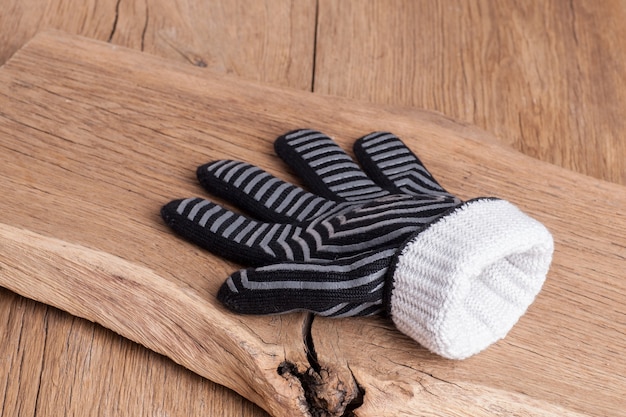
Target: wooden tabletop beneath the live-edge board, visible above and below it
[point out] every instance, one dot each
(548, 79)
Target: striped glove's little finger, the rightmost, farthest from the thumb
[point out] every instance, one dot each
(389, 162)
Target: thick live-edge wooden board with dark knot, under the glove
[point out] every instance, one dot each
(94, 138)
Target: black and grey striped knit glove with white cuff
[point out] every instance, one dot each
(454, 276)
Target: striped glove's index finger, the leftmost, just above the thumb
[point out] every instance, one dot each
(231, 235)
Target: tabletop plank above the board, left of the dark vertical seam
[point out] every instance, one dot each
(267, 40)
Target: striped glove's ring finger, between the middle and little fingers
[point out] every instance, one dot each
(325, 167)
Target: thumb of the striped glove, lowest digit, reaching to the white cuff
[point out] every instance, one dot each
(343, 288)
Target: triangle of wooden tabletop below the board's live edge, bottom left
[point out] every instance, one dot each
(77, 373)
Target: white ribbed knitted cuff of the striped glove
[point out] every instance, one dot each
(461, 284)
